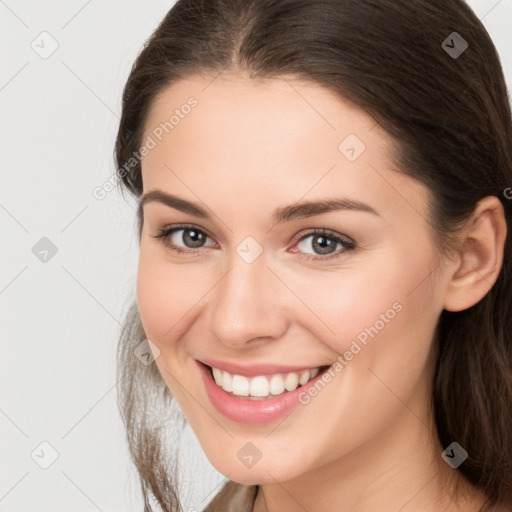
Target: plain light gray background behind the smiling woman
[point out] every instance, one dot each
(60, 318)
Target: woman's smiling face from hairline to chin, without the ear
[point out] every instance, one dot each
(249, 291)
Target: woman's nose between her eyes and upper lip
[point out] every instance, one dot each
(248, 304)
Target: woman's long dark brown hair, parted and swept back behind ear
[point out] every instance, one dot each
(450, 118)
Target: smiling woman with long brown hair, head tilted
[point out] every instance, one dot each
(324, 276)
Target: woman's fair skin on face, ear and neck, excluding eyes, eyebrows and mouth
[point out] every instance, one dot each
(367, 441)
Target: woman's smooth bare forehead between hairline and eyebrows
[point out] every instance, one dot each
(284, 138)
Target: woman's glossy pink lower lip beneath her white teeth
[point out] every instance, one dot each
(254, 412)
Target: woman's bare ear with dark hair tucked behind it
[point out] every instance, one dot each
(480, 257)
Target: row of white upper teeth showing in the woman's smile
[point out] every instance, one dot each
(262, 386)
